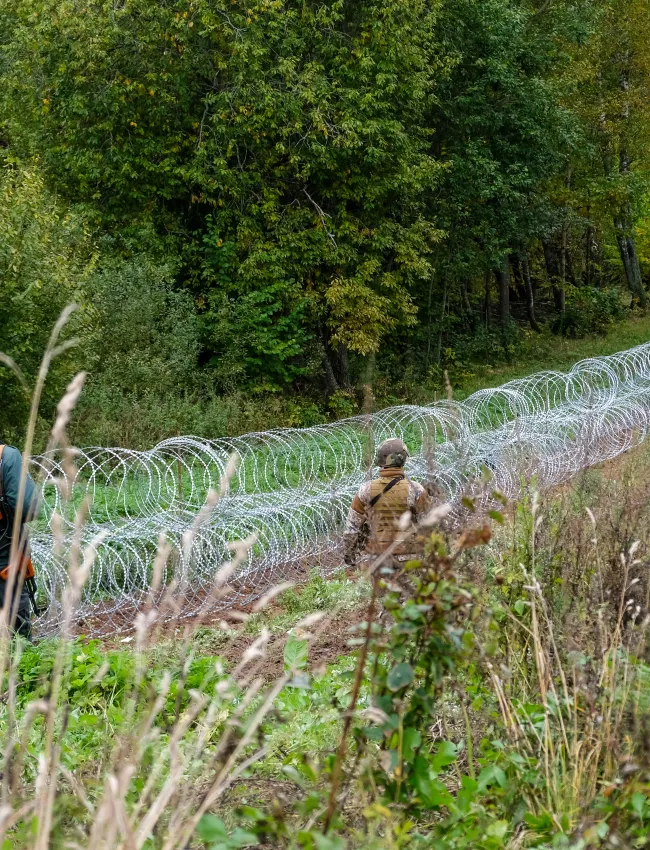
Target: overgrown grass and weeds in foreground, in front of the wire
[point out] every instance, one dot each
(500, 701)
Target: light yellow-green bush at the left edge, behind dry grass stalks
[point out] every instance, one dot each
(45, 262)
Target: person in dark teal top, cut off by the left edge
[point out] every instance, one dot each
(10, 470)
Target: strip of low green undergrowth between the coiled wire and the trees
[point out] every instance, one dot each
(117, 418)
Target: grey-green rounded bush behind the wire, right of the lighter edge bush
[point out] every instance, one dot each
(142, 354)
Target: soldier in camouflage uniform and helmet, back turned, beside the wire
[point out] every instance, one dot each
(376, 510)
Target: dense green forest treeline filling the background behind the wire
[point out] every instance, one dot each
(263, 208)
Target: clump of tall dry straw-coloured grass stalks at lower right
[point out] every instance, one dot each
(571, 689)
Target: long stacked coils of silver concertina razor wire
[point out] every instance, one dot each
(292, 487)
